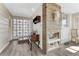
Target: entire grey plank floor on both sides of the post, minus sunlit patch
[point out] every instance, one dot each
(15, 49)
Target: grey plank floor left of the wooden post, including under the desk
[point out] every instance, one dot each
(15, 49)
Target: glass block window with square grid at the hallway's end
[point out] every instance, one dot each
(22, 28)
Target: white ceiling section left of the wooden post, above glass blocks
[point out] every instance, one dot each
(22, 9)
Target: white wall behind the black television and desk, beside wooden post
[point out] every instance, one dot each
(38, 27)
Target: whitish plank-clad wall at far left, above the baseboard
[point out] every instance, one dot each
(4, 27)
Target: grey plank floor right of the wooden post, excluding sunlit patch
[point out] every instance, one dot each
(62, 51)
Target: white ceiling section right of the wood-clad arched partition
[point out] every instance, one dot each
(69, 7)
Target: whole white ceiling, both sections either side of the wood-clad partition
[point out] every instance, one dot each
(28, 9)
